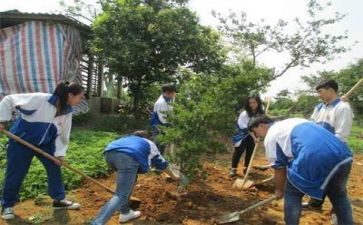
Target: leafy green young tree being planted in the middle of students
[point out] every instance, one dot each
(204, 112)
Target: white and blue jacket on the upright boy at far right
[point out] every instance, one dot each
(336, 117)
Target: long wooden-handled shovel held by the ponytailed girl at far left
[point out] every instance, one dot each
(134, 202)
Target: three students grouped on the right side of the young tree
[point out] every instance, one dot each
(309, 157)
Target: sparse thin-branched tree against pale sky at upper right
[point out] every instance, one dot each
(306, 45)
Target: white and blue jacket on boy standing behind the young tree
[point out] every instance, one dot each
(161, 107)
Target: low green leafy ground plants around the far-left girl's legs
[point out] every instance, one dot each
(85, 153)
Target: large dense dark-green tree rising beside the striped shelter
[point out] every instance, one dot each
(147, 41)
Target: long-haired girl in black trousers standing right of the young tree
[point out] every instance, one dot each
(242, 140)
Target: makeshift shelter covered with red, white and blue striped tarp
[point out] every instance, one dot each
(37, 51)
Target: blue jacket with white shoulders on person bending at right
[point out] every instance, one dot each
(311, 154)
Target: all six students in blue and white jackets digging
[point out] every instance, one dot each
(309, 158)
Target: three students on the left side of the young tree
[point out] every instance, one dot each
(44, 120)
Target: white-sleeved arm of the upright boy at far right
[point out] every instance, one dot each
(343, 122)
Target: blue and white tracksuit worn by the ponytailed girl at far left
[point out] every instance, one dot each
(38, 125)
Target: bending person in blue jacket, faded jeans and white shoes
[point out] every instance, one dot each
(129, 156)
